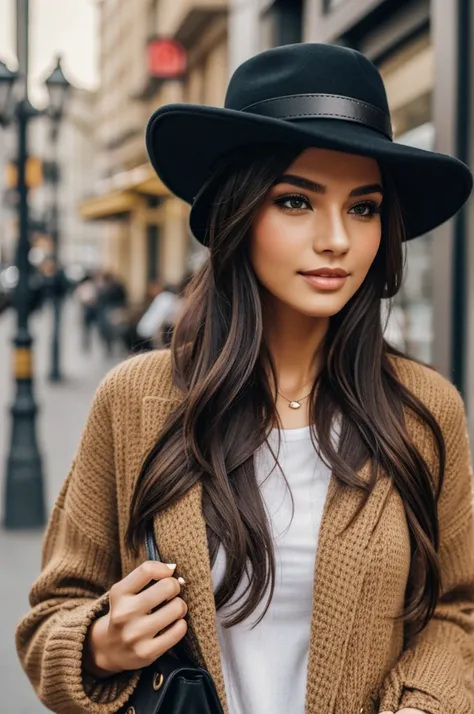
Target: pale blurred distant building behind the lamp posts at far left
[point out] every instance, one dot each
(64, 169)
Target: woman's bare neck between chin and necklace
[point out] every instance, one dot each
(294, 341)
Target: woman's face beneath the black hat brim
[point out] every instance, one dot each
(318, 231)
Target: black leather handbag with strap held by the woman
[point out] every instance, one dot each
(173, 684)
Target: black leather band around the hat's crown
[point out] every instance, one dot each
(326, 106)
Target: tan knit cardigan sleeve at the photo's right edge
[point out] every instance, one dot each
(436, 672)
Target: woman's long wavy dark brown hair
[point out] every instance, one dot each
(222, 365)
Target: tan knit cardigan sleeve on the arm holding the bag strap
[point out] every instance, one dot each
(80, 563)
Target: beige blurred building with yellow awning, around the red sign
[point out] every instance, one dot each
(145, 231)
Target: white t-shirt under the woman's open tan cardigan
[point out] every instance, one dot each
(265, 668)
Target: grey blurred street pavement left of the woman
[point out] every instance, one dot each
(63, 412)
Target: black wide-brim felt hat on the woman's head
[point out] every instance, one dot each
(304, 95)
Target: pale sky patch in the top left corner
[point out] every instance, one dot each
(66, 27)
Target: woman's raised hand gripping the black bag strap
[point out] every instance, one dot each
(128, 636)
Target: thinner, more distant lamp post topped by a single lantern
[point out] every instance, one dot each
(58, 90)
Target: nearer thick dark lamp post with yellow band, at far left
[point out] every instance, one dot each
(24, 501)
